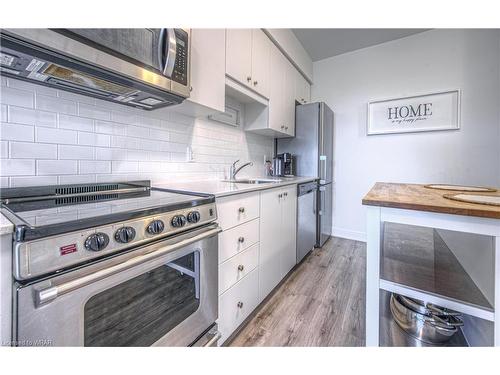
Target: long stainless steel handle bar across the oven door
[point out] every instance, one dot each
(49, 294)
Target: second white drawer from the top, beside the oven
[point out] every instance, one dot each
(237, 239)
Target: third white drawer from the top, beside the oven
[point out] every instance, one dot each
(236, 268)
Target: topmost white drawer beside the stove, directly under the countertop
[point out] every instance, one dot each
(237, 209)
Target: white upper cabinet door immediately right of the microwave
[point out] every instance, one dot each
(208, 53)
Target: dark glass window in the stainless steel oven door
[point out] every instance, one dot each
(140, 311)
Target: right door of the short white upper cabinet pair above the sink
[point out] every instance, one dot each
(261, 49)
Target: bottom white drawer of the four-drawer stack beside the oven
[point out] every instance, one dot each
(237, 303)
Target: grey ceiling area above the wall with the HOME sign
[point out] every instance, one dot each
(323, 43)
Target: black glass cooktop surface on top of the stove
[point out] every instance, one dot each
(43, 215)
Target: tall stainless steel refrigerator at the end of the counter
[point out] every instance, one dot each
(312, 147)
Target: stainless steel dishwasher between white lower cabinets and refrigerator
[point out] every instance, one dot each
(306, 218)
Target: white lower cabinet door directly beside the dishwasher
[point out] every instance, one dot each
(289, 229)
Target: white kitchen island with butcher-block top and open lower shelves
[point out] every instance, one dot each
(418, 264)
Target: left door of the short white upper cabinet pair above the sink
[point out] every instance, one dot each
(239, 54)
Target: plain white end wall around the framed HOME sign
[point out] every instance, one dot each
(435, 60)
